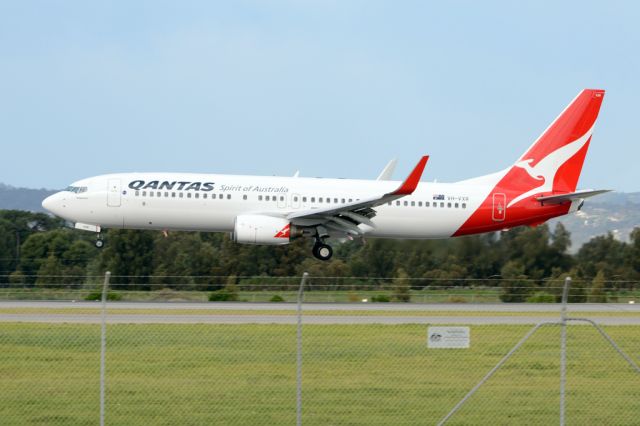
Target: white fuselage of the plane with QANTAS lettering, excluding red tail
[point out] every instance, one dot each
(141, 201)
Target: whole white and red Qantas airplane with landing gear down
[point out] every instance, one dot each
(271, 210)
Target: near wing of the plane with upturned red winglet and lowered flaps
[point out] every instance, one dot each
(346, 217)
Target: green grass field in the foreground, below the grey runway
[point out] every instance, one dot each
(352, 375)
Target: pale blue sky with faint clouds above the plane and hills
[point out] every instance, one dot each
(329, 88)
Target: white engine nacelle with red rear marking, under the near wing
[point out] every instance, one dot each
(261, 229)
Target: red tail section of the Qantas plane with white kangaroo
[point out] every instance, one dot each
(550, 167)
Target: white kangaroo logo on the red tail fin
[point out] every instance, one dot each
(547, 168)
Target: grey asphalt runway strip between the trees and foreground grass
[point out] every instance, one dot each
(253, 315)
